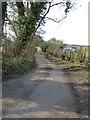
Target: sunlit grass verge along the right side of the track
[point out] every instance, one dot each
(76, 68)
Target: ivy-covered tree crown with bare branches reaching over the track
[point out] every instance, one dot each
(25, 18)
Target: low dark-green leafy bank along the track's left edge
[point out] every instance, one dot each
(12, 67)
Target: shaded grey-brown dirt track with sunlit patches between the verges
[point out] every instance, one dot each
(45, 92)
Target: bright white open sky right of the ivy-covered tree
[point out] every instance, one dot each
(73, 30)
